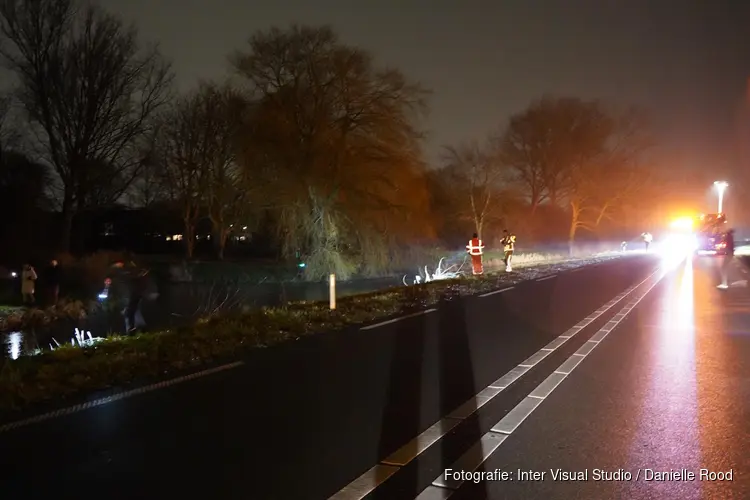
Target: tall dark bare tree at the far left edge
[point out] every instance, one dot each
(90, 91)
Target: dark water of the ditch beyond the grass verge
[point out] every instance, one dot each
(183, 303)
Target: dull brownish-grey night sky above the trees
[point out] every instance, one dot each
(687, 61)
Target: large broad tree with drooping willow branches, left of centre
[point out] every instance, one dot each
(338, 145)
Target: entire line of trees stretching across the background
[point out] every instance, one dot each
(310, 143)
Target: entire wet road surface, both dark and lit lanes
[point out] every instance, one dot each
(307, 419)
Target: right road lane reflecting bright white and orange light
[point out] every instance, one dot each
(667, 390)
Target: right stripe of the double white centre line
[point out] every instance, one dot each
(510, 422)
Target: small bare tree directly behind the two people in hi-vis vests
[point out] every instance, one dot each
(479, 175)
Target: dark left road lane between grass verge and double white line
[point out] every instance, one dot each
(304, 420)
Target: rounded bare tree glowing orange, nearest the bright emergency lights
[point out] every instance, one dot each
(581, 153)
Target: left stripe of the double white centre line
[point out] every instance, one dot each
(419, 444)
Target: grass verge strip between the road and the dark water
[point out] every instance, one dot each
(117, 361)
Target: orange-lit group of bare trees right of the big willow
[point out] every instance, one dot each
(562, 152)
